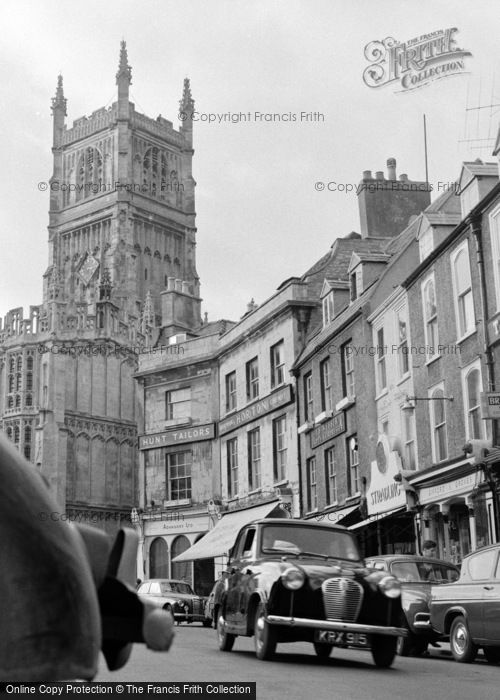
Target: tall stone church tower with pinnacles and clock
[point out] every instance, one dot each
(121, 265)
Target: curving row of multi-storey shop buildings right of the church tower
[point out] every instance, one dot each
(347, 396)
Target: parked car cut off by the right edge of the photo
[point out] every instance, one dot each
(469, 610)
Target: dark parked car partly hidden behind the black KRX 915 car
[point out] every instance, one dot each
(417, 576)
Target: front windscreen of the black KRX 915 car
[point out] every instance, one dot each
(326, 542)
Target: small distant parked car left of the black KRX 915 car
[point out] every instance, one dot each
(177, 597)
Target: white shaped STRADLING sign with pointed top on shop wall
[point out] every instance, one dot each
(384, 493)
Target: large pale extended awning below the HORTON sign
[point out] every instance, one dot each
(220, 540)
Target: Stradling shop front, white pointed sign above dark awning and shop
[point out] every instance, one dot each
(390, 526)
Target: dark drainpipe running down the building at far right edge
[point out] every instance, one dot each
(476, 228)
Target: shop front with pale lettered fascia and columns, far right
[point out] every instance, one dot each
(456, 510)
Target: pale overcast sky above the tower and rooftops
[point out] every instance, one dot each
(261, 218)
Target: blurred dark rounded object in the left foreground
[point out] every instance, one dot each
(66, 592)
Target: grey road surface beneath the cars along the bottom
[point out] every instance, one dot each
(296, 672)
